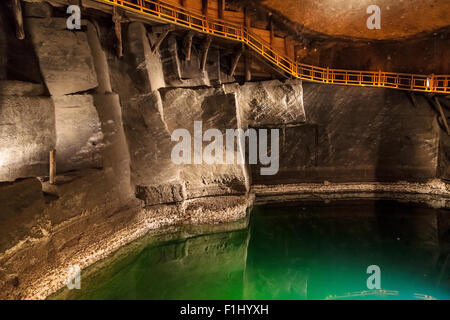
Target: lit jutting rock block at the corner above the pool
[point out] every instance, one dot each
(157, 178)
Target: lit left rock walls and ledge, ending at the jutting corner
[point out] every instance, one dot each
(111, 128)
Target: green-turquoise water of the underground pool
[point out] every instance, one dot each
(313, 251)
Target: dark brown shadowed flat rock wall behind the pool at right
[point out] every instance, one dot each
(359, 134)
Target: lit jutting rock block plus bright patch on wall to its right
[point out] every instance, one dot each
(156, 116)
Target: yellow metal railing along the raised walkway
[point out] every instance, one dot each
(224, 29)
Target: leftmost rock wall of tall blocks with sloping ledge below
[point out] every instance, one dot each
(72, 109)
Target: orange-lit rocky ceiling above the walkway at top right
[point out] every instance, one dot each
(399, 18)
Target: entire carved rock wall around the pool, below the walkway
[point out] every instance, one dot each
(111, 119)
